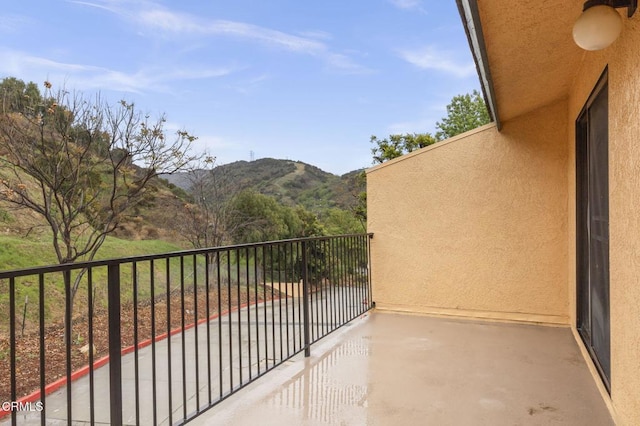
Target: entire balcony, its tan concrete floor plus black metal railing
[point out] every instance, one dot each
(373, 368)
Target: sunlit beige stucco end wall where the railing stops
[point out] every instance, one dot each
(476, 225)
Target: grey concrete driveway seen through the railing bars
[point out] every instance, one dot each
(241, 344)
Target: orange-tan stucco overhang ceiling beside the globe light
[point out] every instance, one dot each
(530, 50)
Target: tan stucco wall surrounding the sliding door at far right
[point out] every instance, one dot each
(623, 60)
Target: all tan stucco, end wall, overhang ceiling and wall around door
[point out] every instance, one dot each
(484, 224)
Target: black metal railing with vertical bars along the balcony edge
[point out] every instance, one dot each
(162, 338)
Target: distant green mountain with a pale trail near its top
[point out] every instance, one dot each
(289, 182)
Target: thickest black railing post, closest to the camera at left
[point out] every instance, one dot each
(115, 361)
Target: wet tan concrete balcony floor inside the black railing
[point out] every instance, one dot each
(393, 369)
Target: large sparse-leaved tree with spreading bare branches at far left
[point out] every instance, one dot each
(83, 164)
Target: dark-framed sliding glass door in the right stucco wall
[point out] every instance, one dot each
(592, 198)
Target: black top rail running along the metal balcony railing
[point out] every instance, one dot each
(14, 273)
